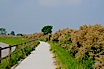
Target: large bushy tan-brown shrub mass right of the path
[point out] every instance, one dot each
(85, 43)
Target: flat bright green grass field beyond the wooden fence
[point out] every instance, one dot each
(12, 40)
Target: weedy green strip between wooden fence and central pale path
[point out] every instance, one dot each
(18, 54)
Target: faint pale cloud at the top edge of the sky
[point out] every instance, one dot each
(58, 2)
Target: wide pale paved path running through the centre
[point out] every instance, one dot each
(41, 58)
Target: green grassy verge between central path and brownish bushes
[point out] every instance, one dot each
(65, 61)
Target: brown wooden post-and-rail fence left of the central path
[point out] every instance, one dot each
(29, 44)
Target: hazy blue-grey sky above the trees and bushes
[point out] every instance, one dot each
(29, 16)
